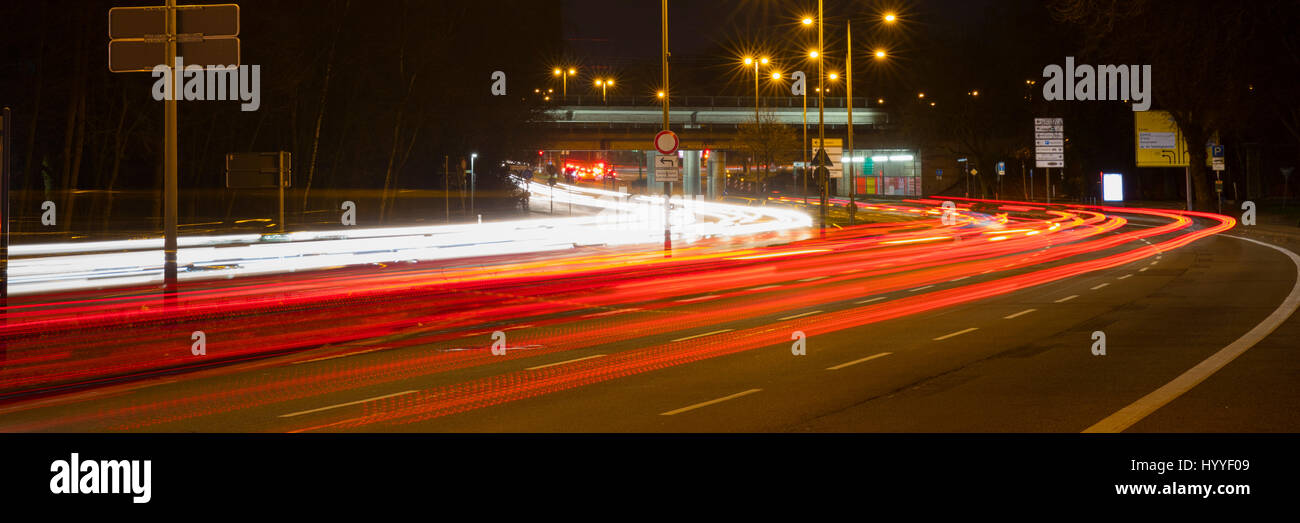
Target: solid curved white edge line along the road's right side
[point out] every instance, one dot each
(1134, 413)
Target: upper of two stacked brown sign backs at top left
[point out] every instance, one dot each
(215, 20)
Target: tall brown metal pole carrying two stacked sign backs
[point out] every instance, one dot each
(170, 163)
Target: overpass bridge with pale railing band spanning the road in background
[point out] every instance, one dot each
(703, 123)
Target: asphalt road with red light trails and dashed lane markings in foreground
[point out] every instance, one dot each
(1020, 361)
